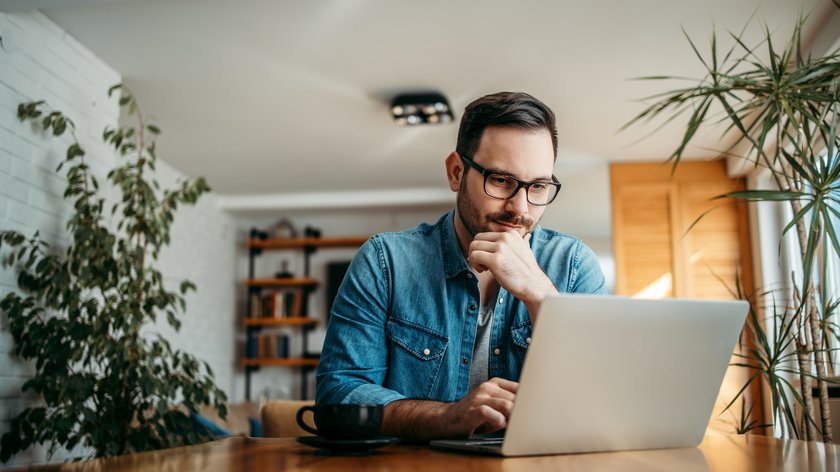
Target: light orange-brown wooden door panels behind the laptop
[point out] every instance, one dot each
(673, 238)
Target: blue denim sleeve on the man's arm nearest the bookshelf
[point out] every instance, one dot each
(354, 360)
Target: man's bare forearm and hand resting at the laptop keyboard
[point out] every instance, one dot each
(484, 410)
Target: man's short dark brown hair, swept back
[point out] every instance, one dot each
(507, 109)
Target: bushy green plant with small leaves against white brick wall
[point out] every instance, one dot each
(103, 383)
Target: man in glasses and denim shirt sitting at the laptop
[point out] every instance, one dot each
(434, 322)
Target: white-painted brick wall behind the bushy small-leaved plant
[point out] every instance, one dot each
(41, 61)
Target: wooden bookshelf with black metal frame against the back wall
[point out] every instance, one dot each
(282, 302)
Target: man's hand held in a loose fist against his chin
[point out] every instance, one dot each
(509, 257)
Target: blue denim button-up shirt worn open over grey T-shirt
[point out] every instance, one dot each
(403, 323)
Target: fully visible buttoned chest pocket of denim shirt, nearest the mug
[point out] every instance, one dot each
(416, 357)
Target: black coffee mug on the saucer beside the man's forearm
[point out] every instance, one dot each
(344, 420)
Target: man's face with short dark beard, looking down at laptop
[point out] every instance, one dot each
(526, 155)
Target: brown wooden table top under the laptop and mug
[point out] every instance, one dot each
(716, 453)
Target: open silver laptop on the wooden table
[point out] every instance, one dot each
(608, 373)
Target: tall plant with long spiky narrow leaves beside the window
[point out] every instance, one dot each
(784, 111)
